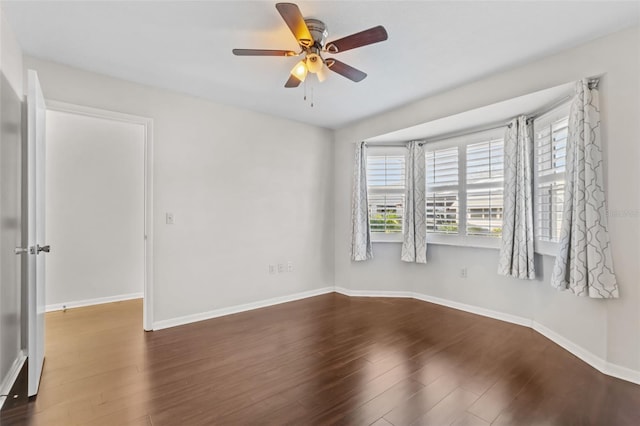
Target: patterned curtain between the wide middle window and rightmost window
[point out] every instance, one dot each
(516, 252)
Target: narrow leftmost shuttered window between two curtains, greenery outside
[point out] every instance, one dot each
(386, 187)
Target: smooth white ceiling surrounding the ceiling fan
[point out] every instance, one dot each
(186, 46)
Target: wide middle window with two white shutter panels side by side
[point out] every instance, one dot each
(464, 179)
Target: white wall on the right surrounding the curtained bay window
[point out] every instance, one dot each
(610, 330)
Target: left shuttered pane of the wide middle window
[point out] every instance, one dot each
(442, 191)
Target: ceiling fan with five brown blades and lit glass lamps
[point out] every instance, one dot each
(311, 35)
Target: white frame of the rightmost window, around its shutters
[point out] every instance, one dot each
(560, 112)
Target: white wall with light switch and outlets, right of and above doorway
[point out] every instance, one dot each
(247, 190)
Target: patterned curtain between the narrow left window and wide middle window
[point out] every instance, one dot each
(414, 244)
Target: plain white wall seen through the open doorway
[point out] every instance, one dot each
(94, 209)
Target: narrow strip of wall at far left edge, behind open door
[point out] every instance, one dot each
(10, 205)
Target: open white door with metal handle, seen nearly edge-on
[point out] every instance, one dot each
(36, 112)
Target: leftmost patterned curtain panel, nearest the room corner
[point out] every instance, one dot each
(360, 230)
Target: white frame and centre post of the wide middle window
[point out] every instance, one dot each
(461, 239)
